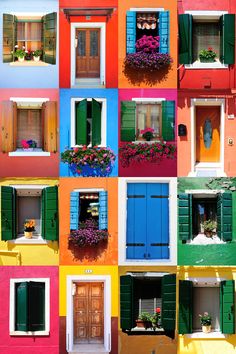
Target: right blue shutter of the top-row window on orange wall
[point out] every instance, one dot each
(164, 29)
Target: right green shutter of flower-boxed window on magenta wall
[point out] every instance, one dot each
(168, 120)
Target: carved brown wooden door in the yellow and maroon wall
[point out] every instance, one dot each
(89, 313)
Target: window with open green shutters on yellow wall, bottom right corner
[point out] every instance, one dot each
(202, 295)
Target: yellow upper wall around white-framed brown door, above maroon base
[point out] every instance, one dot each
(64, 271)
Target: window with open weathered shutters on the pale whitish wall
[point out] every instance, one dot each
(33, 33)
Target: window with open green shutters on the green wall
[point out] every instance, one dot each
(195, 208)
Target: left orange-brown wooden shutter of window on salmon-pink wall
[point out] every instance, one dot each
(9, 126)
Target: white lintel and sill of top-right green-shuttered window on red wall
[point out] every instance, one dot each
(206, 15)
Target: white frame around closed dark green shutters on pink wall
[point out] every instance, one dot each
(12, 302)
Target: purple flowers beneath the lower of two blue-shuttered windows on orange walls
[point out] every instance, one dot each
(88, 234)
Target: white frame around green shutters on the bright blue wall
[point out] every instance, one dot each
(103, 102)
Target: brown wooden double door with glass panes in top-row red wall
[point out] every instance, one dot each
(88, 53)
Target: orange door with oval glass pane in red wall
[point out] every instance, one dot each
(208, 134)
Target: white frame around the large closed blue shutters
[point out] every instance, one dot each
(122, 212)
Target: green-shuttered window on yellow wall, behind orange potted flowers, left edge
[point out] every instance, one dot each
(29, 202)
